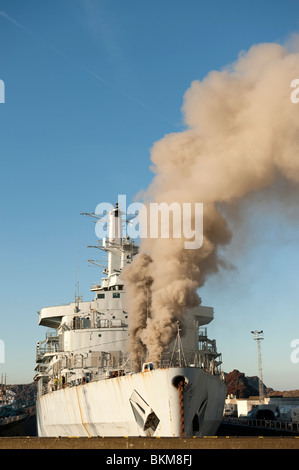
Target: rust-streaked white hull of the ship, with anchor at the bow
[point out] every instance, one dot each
(141, 404)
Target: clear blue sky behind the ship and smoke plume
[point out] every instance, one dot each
(89, 87)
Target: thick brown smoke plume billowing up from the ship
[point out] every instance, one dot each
(242, 136)
